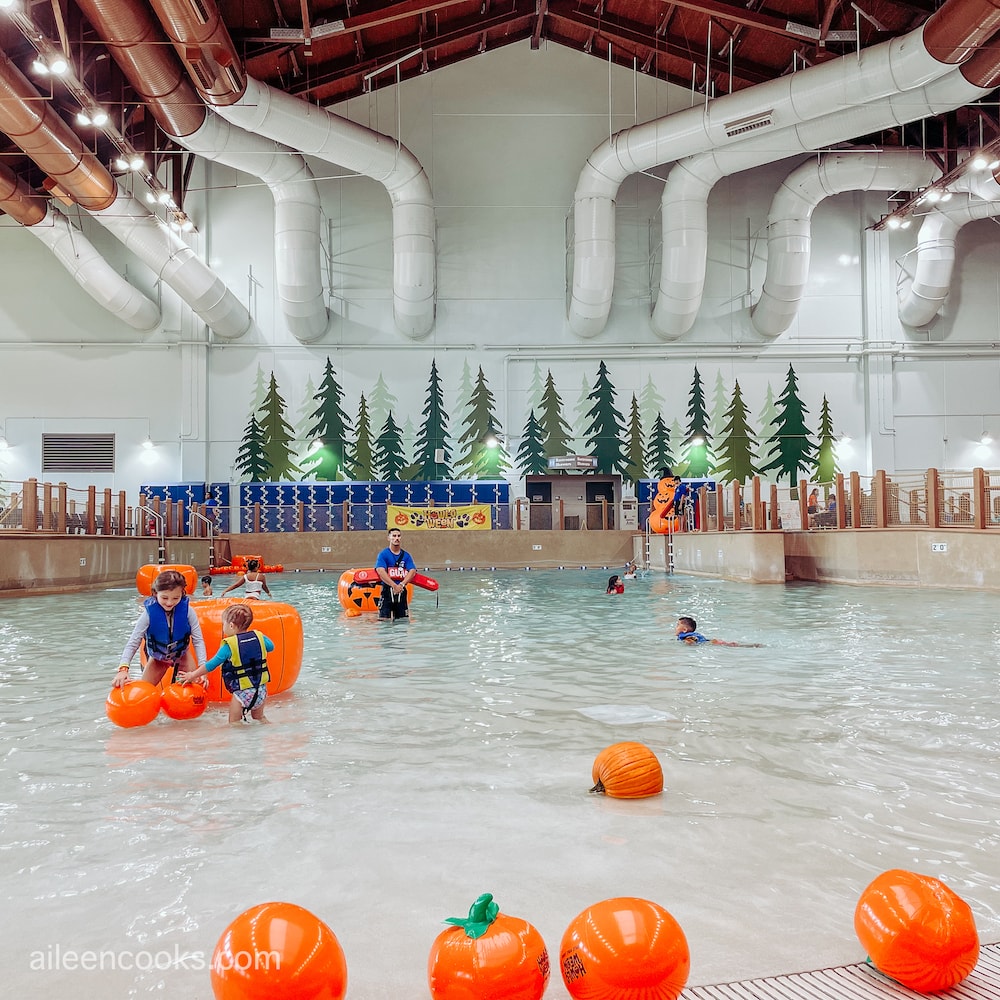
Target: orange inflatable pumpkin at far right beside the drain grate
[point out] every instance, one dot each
(917, 931)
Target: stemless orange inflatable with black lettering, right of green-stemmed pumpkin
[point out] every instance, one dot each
(624, 949)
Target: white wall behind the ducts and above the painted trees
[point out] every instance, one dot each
(502, 138)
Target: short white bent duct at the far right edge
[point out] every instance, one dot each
(921, 297)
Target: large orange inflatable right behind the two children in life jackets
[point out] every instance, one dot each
(280, 622)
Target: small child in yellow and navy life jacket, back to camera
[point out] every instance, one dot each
(243, 658)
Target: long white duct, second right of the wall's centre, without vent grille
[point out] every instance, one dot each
(684, 203)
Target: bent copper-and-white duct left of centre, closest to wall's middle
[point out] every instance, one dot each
(206, 49)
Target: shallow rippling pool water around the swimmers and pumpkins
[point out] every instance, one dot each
(415, 765)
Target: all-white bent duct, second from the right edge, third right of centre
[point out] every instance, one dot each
(789, 231)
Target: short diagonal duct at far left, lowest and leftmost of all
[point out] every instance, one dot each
(76, 253)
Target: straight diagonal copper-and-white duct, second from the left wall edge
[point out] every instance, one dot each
(27, 118)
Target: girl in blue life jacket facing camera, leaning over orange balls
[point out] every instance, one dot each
(168, 625)
